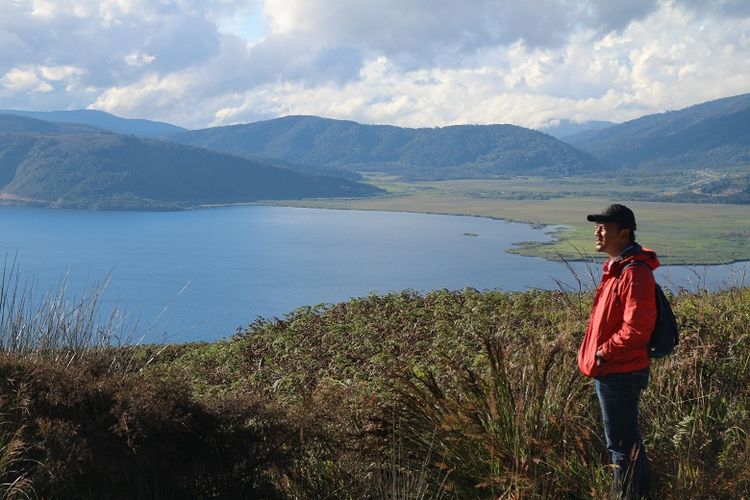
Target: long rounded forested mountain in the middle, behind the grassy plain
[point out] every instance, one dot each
(464, 151)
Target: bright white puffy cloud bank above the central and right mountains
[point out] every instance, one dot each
(661, 62)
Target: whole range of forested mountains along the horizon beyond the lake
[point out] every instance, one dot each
(694, 155)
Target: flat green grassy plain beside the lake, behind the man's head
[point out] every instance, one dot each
(681, 233)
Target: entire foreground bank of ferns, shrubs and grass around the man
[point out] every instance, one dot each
(449, 394)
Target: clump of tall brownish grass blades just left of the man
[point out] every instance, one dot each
(515, 419)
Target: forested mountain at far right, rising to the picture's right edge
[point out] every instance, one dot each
(714, 134)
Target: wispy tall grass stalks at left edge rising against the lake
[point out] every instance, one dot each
(47, 329)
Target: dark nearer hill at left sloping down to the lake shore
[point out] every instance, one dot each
(103, 170)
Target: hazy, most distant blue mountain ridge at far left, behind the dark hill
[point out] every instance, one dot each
(104, 121)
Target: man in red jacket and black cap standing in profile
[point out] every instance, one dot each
(614, 350)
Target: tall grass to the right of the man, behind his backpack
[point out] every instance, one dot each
(697, 410)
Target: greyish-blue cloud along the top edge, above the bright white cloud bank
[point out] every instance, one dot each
(421, 32)
